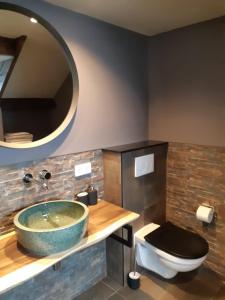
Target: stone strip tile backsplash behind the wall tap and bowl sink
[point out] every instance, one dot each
(14, 195)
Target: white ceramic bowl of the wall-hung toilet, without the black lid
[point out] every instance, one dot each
(158, 261)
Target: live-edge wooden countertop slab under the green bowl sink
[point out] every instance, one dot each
(17, 266)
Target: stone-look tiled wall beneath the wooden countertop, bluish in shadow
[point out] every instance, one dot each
(78, 272)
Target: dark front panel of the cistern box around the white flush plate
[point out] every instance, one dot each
(143, 194)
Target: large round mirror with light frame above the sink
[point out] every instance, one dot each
(38, 80)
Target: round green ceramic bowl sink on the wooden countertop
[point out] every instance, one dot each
(51, 227)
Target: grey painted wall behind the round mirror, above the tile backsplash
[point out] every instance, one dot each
(112, 106)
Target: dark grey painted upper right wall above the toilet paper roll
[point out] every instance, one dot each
(186, 84)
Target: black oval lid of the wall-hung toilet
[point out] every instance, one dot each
(178, 241)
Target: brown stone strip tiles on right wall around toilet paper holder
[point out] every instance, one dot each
(196, 175)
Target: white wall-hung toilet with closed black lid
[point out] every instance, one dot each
(169, 249)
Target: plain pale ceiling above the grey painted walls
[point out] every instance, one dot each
(148, 17)
